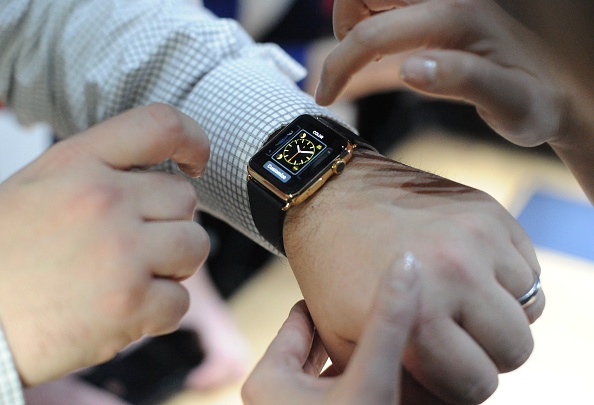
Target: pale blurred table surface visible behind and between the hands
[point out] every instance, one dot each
(560, 368)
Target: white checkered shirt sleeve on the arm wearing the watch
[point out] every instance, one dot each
(75, 63)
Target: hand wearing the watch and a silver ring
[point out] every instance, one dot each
(476, 260)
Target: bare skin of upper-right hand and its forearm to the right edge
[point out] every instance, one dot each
(528, 89)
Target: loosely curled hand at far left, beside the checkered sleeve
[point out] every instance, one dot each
(91, 254)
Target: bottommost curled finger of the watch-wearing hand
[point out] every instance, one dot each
(441, 345)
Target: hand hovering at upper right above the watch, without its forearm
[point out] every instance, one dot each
(462, 50)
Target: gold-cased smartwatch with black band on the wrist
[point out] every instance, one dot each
(292, 165)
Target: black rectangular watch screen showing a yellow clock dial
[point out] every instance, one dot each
(296, 156)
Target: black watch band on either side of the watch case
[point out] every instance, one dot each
(268, 211)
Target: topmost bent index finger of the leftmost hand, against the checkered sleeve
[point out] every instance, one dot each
(149, 135)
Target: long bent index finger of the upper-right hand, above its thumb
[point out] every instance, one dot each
(433, 24)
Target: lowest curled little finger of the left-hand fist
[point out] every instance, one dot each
(166, 303)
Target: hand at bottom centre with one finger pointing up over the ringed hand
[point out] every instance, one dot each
(288, 373)
